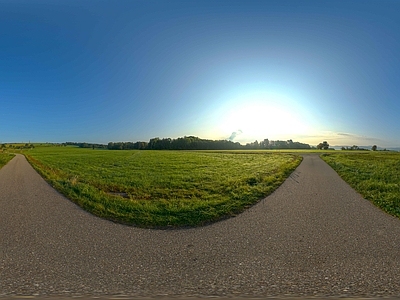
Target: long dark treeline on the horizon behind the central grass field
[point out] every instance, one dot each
(196, 143)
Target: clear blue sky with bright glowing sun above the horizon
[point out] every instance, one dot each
(100, 71)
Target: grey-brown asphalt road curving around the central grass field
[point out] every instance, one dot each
(314, 236)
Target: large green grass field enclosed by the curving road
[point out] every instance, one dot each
(162, 188)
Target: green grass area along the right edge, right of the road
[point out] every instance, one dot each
(375, 175)
